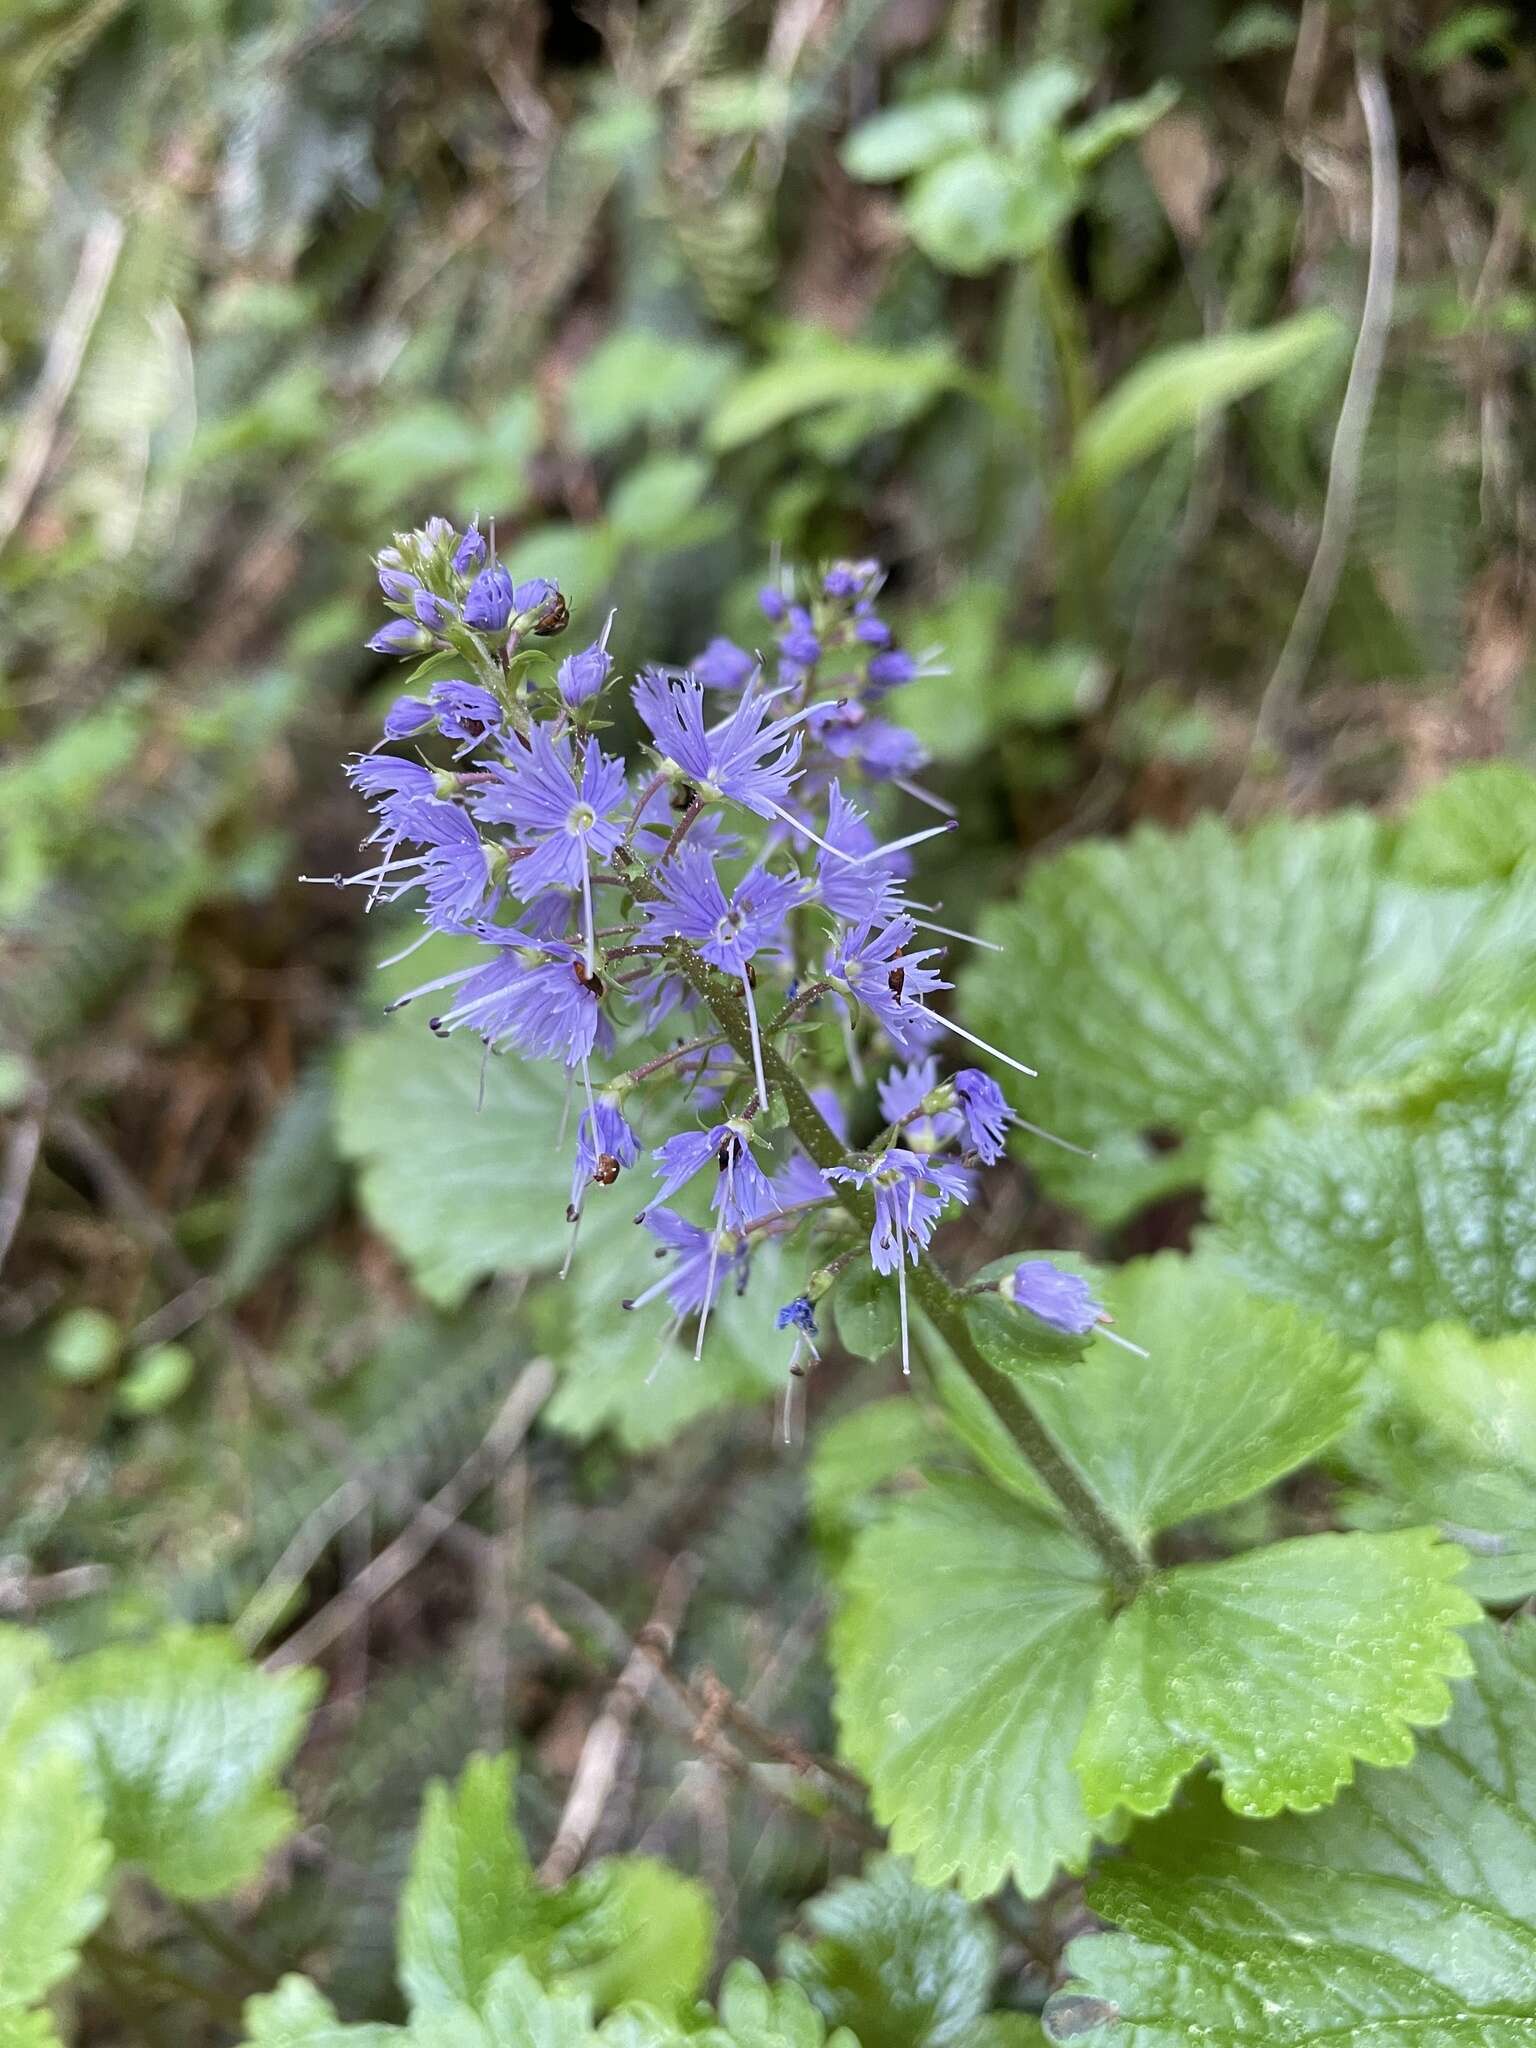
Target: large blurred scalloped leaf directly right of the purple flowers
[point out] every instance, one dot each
(1170, 986)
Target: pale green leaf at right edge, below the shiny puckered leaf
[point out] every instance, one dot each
(1453, 1441)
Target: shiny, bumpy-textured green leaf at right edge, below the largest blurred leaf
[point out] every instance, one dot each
(1398, 1209)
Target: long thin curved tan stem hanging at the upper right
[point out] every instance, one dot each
(1283, 689)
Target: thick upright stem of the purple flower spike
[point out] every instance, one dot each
(943, 1304)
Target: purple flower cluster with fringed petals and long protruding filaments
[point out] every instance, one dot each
(728, 890)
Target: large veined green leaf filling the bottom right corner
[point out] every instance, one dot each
(1404, 1914)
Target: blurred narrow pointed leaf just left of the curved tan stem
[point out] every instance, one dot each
(1168, 392)
